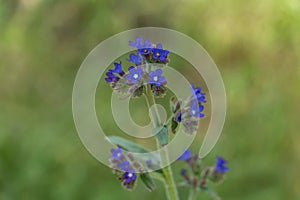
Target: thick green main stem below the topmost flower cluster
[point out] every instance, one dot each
(170, 185)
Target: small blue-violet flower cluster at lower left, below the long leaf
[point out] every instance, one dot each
(122, 167)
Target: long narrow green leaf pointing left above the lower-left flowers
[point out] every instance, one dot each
(127, 145)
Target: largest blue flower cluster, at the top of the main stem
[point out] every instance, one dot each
(146, 70)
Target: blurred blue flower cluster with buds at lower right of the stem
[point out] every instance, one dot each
(196, 177)
